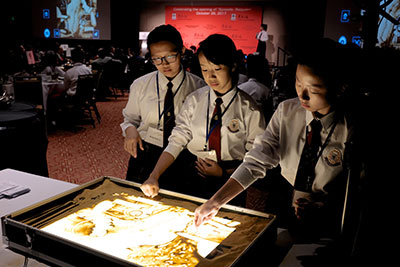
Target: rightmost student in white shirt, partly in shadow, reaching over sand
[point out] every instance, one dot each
(321, 87)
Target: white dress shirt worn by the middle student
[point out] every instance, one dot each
(241, 122)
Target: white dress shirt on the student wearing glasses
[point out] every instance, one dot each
(145, 104)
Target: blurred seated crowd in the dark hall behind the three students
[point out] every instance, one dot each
(120, 66)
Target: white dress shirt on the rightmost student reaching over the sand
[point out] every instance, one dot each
(283, 141)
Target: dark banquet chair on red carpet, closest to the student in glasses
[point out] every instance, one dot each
(85, 98)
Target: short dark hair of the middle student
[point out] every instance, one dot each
(221, 50)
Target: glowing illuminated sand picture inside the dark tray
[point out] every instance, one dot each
(143, 231)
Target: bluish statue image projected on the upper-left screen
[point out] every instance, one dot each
(77, 18)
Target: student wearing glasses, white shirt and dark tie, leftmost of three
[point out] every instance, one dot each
(146, 110)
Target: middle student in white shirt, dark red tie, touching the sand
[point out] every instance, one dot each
(241, 122)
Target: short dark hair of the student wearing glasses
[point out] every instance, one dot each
(165, 33)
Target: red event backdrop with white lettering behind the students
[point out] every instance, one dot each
(195, 23)
